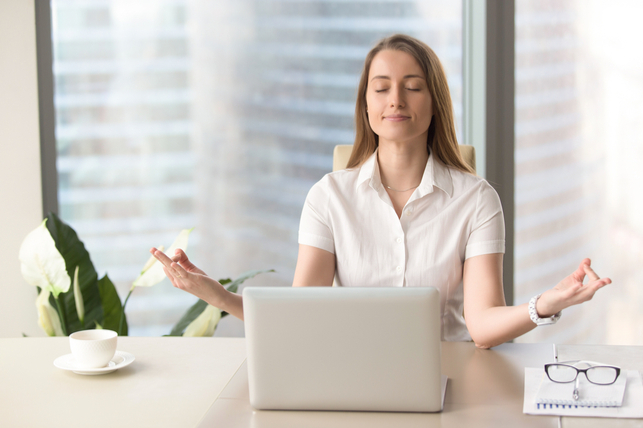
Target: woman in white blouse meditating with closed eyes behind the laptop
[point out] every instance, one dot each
(408, 211)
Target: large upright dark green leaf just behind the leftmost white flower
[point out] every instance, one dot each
(73, 251)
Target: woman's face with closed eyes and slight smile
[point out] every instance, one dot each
(397, 98)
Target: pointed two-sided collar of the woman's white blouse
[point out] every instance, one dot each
(435, 174)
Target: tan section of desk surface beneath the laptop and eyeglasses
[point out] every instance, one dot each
(486, 389)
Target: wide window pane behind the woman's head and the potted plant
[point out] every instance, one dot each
(215, 115)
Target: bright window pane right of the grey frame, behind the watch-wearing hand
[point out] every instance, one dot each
(579, 94)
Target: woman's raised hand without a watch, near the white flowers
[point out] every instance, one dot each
(186, 276)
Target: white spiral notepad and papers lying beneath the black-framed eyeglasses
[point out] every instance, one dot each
(622, 399)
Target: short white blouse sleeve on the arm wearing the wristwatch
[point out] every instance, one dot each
(488, 231)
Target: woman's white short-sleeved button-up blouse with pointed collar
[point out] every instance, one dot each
(450, 217)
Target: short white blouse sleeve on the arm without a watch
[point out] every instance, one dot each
(314, 227)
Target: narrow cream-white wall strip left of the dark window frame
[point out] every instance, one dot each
(20, 191)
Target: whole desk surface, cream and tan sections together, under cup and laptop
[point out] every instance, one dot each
(175, 382)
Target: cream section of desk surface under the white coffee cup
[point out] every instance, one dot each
(171, 383)
